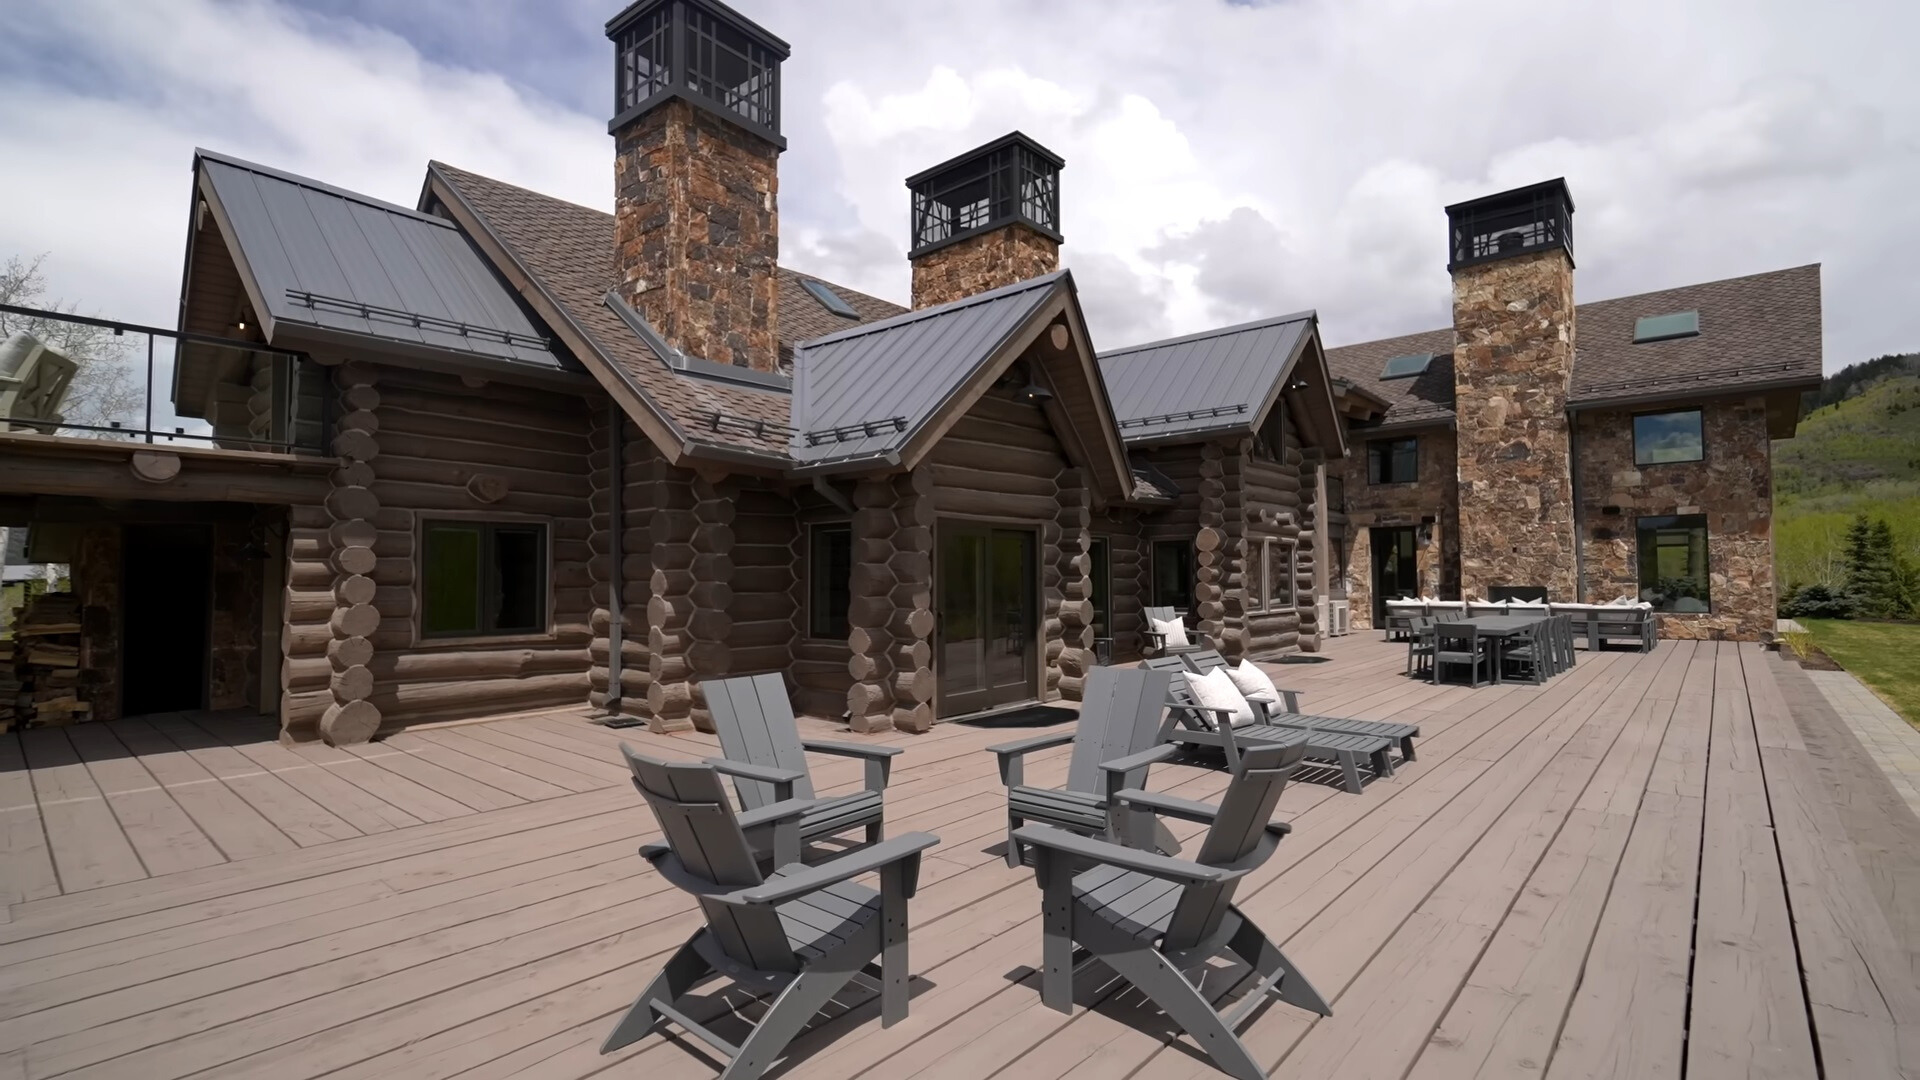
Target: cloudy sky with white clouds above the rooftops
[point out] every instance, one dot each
(1226, 160)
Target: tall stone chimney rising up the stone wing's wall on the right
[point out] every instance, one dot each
(1514, 345)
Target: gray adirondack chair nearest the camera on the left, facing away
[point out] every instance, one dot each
(798, 935)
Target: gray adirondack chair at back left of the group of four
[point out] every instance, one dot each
(767, 758)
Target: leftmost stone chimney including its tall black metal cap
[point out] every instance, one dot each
(698, 178)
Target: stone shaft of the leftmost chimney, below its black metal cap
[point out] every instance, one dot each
(698, 233)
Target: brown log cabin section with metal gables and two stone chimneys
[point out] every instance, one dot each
(496, 451)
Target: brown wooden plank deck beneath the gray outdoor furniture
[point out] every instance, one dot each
(1635, 871)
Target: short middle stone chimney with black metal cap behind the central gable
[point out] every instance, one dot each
(984, 220)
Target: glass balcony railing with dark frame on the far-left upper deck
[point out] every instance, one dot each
(78, 378)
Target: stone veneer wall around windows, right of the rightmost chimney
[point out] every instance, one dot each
(1733, 487)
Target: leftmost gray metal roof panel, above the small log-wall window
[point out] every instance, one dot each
(370, 268)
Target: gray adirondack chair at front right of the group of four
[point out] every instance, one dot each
(1155, 920)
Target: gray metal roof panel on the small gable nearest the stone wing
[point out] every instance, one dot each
(1201, 383)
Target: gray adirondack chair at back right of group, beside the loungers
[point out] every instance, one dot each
(1118, 735)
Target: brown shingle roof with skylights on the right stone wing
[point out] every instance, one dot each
(1754, 331)
